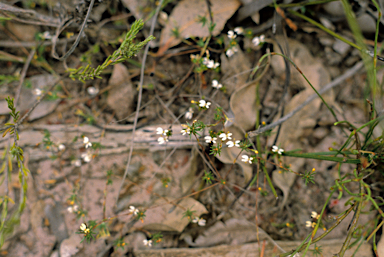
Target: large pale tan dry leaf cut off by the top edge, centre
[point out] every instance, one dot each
(184, 18)
